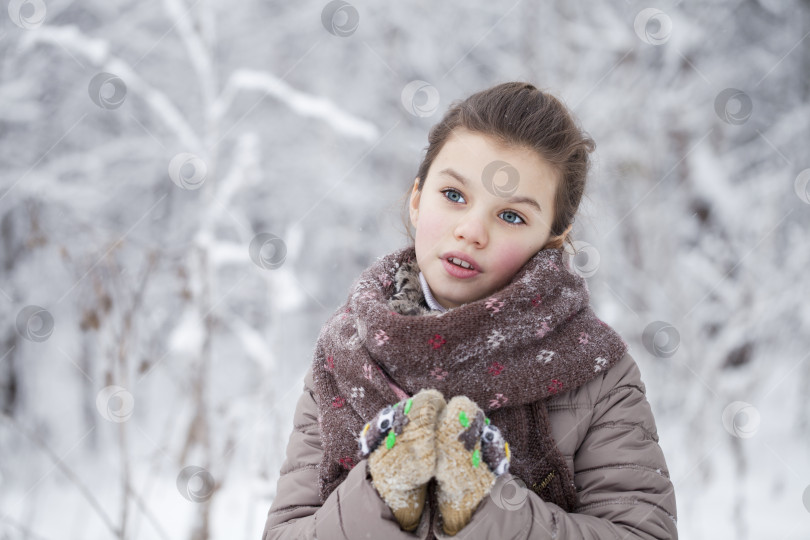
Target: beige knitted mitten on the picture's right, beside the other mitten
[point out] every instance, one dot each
(471, 455)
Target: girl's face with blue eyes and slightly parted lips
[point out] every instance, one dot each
(481, 211)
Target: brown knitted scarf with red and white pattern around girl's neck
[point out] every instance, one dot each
(509, 352)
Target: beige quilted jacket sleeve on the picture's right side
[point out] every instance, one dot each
(623, 485)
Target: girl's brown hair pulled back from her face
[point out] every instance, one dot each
(518, 114)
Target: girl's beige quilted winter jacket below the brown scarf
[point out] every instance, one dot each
(605, 429)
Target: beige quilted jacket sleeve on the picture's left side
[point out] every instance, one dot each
(353, 510)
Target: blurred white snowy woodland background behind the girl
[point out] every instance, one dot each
(187, 190)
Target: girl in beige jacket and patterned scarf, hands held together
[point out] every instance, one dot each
(466, 388)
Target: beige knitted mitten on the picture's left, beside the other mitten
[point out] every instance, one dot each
(400, 443)
